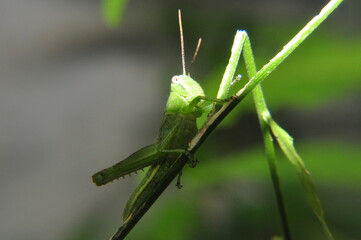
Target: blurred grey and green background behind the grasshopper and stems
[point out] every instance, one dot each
(78, 94)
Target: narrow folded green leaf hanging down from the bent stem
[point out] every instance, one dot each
(285, 142)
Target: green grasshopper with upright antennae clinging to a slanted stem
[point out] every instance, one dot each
(168, 155)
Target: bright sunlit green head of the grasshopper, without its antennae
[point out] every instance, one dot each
(182, 91)
